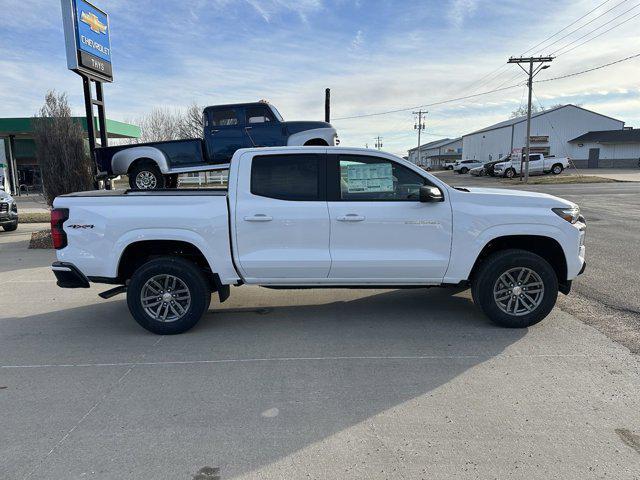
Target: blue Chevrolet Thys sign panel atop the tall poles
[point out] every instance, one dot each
(86, 33)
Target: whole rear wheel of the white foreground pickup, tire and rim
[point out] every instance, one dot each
(168, 295)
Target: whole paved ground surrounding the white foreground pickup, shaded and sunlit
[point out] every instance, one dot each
(327, 383)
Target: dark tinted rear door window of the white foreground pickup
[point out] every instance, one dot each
(286, 177)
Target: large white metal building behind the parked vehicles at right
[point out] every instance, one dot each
(551, 133)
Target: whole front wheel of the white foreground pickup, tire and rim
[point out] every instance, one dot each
(515, 288)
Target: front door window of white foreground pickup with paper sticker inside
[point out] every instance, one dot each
(375, 178)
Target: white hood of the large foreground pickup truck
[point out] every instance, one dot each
(503, 196)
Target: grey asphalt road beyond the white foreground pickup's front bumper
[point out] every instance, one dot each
(607, 295)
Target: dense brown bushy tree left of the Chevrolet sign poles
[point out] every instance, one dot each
(60, 148)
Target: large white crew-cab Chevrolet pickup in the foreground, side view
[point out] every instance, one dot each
(318, 217)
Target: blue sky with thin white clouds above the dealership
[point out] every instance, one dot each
(374, 55)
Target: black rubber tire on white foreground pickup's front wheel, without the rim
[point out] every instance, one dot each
(488, 276)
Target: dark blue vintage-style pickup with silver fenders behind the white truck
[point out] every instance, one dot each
(226, 129)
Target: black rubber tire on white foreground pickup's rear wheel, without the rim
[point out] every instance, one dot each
(191, 277)
